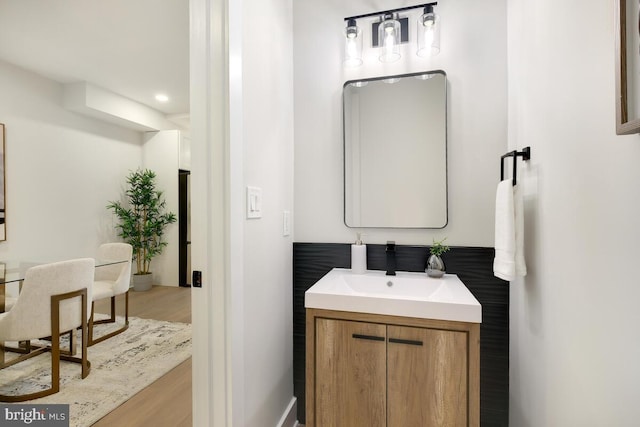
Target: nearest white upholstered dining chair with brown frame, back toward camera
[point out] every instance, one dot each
(54, 299)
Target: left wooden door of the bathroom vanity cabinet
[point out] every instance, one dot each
(350, 374)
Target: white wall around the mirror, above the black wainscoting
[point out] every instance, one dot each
(473, 54)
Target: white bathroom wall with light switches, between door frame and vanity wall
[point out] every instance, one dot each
(267, 118)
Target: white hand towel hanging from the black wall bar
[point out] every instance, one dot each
(509, 232)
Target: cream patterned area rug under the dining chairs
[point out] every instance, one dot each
(120, 367)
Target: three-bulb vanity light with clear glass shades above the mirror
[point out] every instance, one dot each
(389, 31)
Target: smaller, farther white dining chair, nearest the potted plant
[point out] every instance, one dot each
(110, 281)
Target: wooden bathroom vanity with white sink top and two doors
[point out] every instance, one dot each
(392, 351)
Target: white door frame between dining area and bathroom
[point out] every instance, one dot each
(217, 204)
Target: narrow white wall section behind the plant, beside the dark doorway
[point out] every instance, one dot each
(161, 154)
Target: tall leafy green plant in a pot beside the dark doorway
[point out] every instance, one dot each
(142, 222)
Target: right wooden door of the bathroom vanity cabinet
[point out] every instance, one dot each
(427, 377)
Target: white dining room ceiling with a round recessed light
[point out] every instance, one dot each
(135, 48)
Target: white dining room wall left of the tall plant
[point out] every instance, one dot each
(61, 171)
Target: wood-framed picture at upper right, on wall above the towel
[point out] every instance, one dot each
(627, 32)
